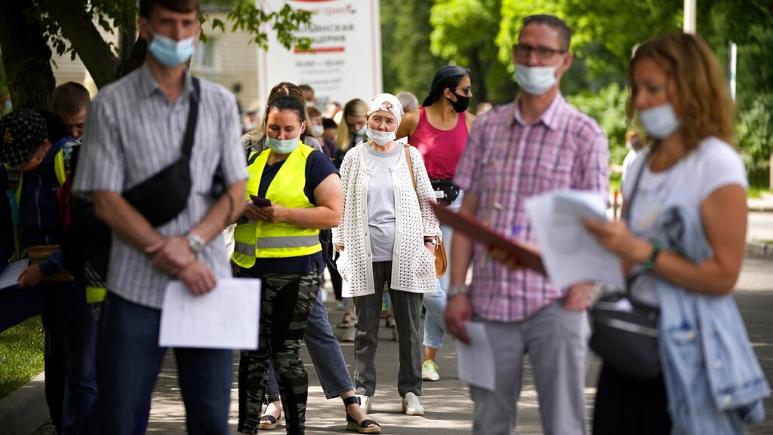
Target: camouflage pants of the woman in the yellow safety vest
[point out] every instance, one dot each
(286, 302)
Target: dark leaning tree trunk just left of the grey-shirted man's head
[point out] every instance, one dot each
(86, 40)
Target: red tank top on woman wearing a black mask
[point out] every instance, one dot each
(441, 149)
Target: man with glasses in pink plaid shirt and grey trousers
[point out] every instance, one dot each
(535, 144)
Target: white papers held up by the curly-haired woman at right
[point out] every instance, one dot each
(569, 252)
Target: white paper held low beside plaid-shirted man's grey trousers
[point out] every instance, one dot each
(476, 360)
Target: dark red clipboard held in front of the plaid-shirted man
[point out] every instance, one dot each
(479, 233)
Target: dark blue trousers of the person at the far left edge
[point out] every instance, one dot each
(70, 337)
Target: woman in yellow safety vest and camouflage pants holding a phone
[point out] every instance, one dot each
(293, 192)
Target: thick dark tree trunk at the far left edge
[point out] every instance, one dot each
(26, 56)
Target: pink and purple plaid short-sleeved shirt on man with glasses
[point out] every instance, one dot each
(507, 161)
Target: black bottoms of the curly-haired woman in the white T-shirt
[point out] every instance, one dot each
(630, 406)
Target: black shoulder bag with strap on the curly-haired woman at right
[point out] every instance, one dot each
(625, 331)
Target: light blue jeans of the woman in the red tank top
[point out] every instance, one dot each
(435, 303)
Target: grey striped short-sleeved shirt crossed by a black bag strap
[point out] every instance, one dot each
(133, 132)
